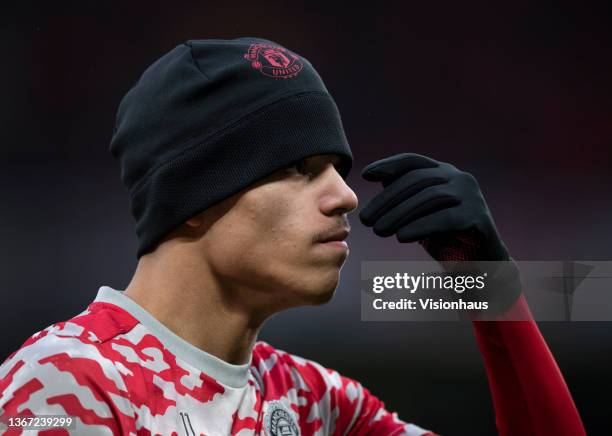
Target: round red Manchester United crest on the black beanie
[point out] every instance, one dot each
(274, 60)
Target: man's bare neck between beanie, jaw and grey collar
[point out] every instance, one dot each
(186, 297)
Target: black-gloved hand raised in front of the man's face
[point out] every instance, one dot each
(434, 203)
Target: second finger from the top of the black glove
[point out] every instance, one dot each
(401, 189)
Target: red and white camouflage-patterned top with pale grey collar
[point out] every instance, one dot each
(118, 371)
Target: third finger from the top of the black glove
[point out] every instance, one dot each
(428, 201)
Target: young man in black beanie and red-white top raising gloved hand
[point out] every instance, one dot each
(235, 159)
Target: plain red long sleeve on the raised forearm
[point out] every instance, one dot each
(529, 393)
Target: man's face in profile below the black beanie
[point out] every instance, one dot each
(266, 240)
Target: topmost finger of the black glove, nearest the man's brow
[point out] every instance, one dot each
(388, 169)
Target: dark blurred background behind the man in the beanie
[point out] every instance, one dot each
(518, 95)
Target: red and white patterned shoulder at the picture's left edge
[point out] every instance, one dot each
(67, 368)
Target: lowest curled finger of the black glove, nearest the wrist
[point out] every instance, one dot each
(442, 221)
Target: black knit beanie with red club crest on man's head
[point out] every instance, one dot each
(213, 116)
